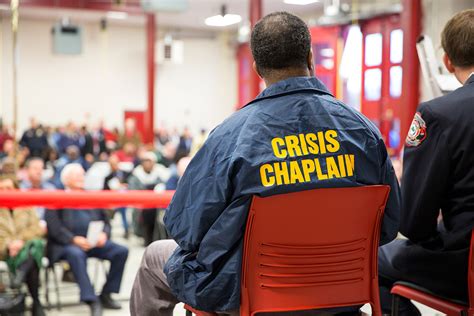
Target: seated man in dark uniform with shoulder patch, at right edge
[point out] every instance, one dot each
(438, 175)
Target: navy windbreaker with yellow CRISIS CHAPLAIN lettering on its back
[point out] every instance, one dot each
(294, 136)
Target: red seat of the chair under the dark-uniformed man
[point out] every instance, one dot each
(427, 297)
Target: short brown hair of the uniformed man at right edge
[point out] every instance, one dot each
(457, 39)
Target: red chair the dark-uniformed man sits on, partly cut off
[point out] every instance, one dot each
(449, 307)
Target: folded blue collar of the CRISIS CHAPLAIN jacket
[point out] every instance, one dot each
(291, 85)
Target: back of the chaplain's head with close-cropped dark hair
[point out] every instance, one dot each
(280, 41)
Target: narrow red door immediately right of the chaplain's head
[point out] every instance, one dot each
(325, 53)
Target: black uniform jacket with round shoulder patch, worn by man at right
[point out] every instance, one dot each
(439, 172)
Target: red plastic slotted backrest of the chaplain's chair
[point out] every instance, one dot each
(312, 249)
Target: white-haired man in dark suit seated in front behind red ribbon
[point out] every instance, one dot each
(67, 240)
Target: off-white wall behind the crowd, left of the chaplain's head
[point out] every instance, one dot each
(110, 77)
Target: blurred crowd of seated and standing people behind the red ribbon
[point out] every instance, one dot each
(77, 158)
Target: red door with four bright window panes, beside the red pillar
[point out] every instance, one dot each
(382, 73)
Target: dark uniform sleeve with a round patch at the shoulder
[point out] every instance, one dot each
(425, 174)
